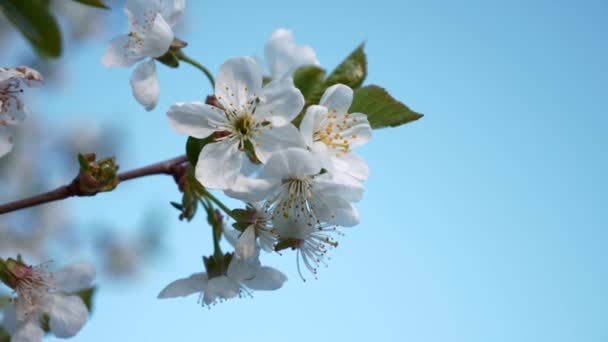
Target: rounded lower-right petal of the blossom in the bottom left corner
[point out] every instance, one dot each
(68, 315)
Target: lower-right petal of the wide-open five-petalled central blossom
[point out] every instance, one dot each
(271, 139)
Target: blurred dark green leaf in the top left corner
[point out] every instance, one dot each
(36, 23)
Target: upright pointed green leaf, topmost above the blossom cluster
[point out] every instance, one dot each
(351, 72)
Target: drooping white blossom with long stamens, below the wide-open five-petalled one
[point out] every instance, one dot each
(303, 202)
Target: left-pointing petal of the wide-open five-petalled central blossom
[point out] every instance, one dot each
(195, 119)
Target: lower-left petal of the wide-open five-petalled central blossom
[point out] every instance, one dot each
(219, 164)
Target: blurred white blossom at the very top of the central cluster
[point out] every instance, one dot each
(283, 56)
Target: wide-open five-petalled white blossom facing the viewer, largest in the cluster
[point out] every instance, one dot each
(252, 119)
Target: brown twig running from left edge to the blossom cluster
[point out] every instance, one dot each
(172, 167)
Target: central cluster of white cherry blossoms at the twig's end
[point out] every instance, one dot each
(299, 183)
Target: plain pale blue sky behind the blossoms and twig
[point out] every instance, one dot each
(484, 221)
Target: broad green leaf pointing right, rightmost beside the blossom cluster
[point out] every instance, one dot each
(381, 108)
